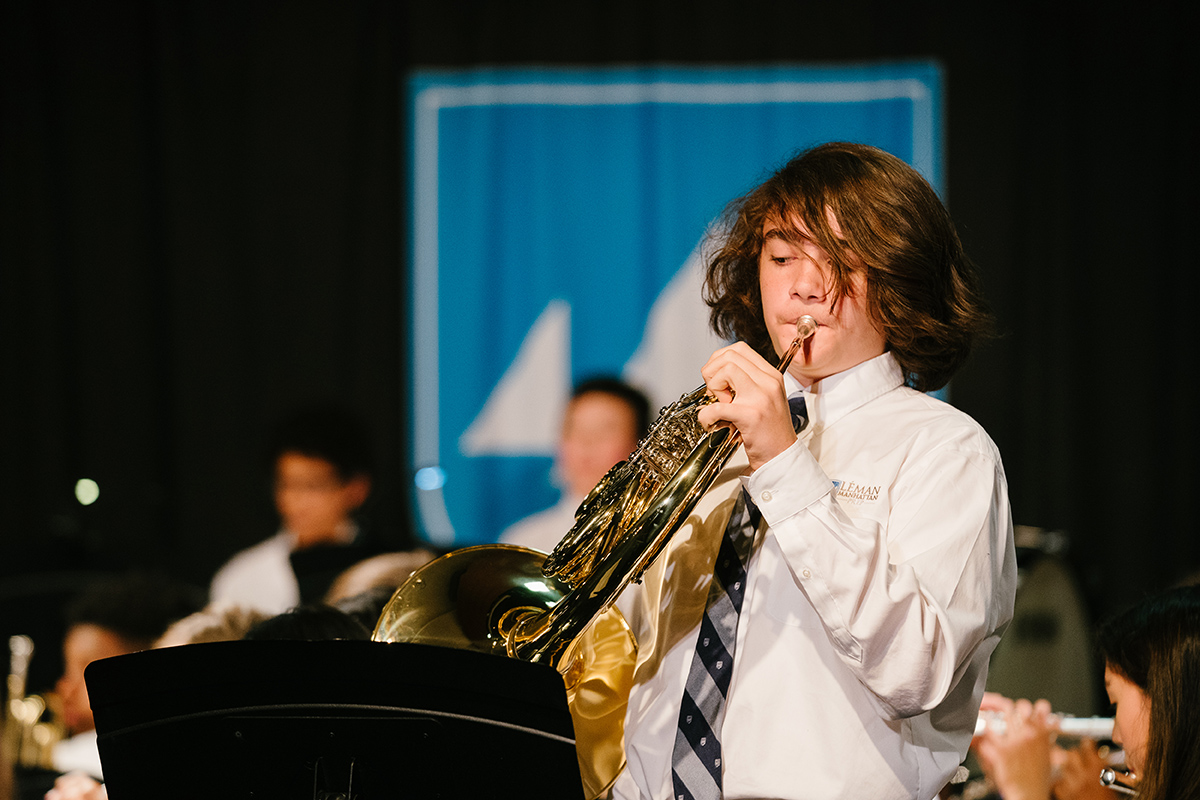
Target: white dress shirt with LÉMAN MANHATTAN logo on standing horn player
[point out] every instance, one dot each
(879, 585)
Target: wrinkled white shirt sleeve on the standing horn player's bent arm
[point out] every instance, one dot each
(907, 600)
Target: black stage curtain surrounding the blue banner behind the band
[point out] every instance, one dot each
(203, 226)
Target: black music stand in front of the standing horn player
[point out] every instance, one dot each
(331, 721)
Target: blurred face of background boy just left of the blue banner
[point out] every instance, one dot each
(314, 501)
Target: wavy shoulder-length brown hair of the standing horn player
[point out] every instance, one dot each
(922, 291)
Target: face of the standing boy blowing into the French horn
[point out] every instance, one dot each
(796, 280)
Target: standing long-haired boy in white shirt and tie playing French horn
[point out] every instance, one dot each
(871, 557)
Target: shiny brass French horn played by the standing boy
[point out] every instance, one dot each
(557, 610)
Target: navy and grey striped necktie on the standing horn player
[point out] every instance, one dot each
(697, 759)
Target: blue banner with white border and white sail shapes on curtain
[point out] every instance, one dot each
(556, 219)
